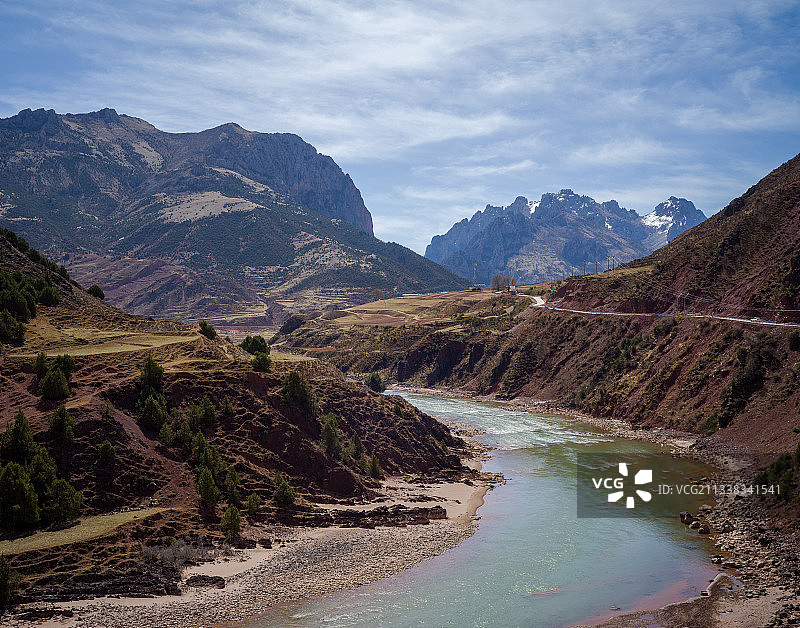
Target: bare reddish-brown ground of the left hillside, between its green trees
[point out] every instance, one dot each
(262, 436)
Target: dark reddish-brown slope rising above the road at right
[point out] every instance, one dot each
(744, 261)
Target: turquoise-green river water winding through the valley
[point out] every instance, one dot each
(532, 560)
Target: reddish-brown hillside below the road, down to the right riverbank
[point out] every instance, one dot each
(687, 373)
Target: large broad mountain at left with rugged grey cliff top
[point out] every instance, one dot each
(225, 224)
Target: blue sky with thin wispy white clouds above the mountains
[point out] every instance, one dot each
(437, 108)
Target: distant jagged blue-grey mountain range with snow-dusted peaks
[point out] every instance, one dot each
(548, 239)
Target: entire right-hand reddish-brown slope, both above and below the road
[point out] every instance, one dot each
(648, 364)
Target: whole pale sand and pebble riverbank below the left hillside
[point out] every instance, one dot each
(302, 563)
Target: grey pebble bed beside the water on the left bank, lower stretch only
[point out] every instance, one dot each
(302, 564)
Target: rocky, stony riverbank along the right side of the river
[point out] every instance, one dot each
(752, 548)
